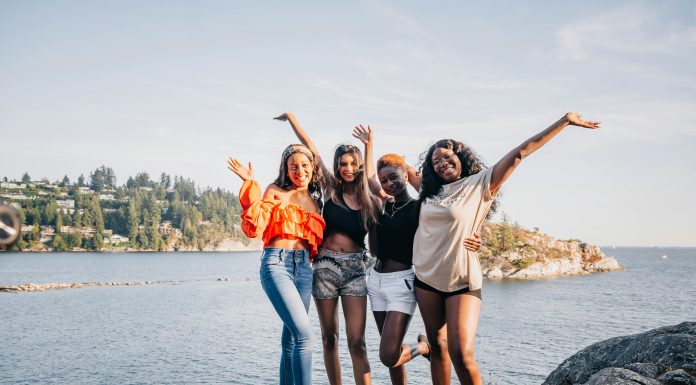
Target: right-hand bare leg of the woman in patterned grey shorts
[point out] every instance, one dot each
(355, 311)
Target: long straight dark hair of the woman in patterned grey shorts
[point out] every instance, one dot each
(369, 205)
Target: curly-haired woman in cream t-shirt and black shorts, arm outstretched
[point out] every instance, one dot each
(456, 195)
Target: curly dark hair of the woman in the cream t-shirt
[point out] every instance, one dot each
(431, 182)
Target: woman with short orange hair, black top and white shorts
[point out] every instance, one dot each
(391, 284)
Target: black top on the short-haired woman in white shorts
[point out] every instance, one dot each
(395, 232)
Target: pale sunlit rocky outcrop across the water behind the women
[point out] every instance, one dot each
(536, 255)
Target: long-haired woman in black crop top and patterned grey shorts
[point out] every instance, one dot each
(339, 269)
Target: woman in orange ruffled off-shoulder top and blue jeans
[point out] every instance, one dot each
(287, 216)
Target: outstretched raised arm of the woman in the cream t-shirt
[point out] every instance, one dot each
(505, 166)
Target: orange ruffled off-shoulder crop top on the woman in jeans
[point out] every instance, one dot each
(274, 218)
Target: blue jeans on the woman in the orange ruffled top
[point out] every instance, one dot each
(286, 277)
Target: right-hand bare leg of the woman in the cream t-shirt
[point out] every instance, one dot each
(462, 321)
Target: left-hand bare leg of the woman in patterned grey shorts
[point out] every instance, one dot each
(327, 310)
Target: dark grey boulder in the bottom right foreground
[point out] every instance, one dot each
(664, 356)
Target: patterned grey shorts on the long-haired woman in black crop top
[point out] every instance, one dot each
(338, 274)
